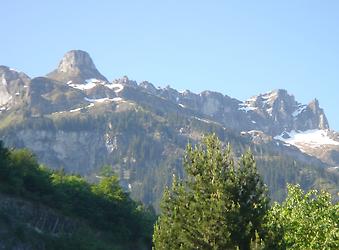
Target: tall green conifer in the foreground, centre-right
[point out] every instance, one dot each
(219, 206)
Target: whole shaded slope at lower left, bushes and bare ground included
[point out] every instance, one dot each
(99, 216)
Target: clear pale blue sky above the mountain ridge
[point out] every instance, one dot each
(239, 48)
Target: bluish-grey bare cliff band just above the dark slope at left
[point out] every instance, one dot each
(79, 151)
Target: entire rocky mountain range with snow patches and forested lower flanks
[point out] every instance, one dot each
(74, 118)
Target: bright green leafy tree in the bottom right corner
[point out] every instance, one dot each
(303, 221)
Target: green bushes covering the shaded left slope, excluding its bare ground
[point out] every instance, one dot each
(105, 207)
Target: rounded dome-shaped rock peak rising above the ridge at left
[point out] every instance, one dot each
(76, 66)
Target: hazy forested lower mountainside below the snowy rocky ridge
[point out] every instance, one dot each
(145, 149)
